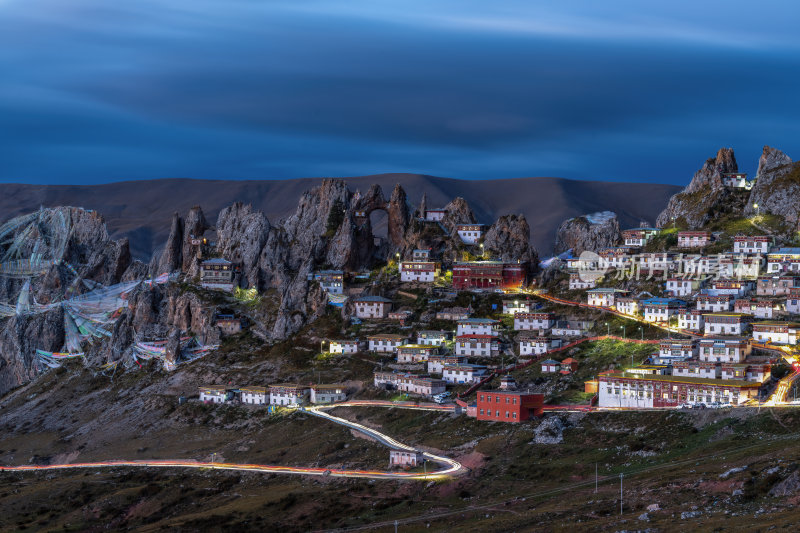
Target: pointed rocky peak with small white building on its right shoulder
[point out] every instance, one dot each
(705, 198)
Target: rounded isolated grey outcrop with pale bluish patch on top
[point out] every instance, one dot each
(589, 232)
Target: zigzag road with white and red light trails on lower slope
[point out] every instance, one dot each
(447, 467)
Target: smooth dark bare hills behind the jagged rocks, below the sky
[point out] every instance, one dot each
(142, 210)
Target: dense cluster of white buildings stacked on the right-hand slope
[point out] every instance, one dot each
(732, 301)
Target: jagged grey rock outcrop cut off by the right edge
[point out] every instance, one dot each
(777, 186)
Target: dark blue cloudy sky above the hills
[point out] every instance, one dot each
(96, 90)
